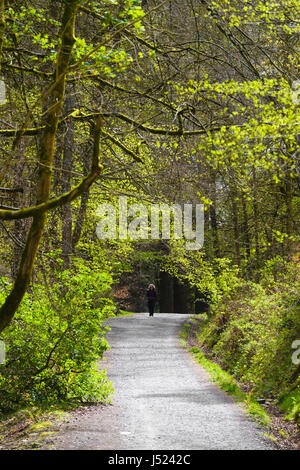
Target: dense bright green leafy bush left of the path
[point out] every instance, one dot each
(55, 340)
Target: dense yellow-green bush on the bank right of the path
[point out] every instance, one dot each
(251, 333)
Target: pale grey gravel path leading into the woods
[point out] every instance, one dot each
(163, 400)
